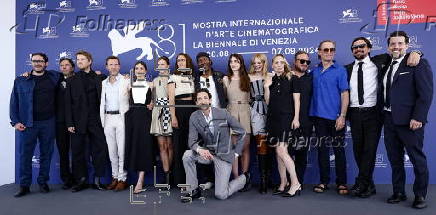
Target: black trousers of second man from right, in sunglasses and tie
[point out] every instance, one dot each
(365, 130)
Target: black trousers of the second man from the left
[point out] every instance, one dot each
(63, 142)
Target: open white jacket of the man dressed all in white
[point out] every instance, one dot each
(123, 97)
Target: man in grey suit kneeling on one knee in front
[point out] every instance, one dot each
(212, 126)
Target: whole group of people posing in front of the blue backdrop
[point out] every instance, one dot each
(203, 121)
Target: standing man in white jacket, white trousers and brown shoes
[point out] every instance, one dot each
(114, 104)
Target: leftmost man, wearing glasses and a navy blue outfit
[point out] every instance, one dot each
(32, 113)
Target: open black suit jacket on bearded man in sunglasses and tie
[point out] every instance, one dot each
(380, 62)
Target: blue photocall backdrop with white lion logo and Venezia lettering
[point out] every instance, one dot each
(143, 29)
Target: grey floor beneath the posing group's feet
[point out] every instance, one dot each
(62, 202)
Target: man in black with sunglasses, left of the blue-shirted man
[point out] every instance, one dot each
(304, 82)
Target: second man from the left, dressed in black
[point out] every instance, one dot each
(63, 139)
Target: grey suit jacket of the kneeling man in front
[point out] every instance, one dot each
(219, 143)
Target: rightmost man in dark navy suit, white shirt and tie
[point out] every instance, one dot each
(407, 96)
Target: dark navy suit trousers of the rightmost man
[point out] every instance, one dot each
(398, 138)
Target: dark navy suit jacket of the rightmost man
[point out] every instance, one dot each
(411, 92)
